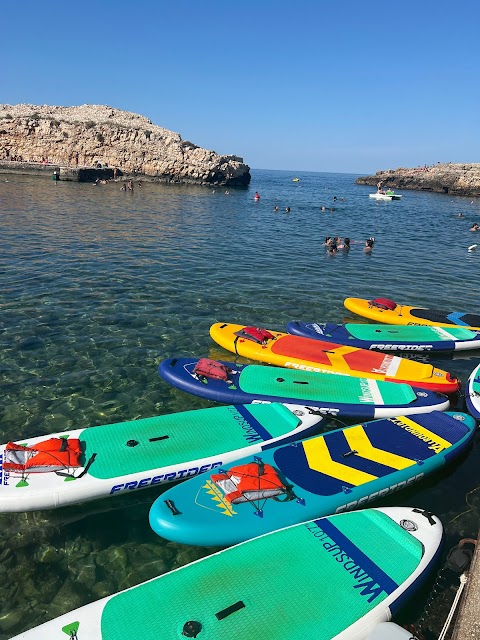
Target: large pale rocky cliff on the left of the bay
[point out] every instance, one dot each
(90, 135)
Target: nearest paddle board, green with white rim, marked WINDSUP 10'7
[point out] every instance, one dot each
(331, 578)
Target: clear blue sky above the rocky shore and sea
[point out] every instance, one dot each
(325, 85)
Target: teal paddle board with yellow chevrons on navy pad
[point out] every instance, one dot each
(334, 472)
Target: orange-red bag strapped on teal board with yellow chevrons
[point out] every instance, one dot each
(250, 482)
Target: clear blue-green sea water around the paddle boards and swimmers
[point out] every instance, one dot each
(98, 286)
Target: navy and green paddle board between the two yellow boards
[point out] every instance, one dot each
(384, 337)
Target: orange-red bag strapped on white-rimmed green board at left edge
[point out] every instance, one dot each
(53, 454)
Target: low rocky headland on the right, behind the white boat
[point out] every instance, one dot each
(455, 179)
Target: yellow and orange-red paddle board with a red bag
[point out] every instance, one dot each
(307, 354)
